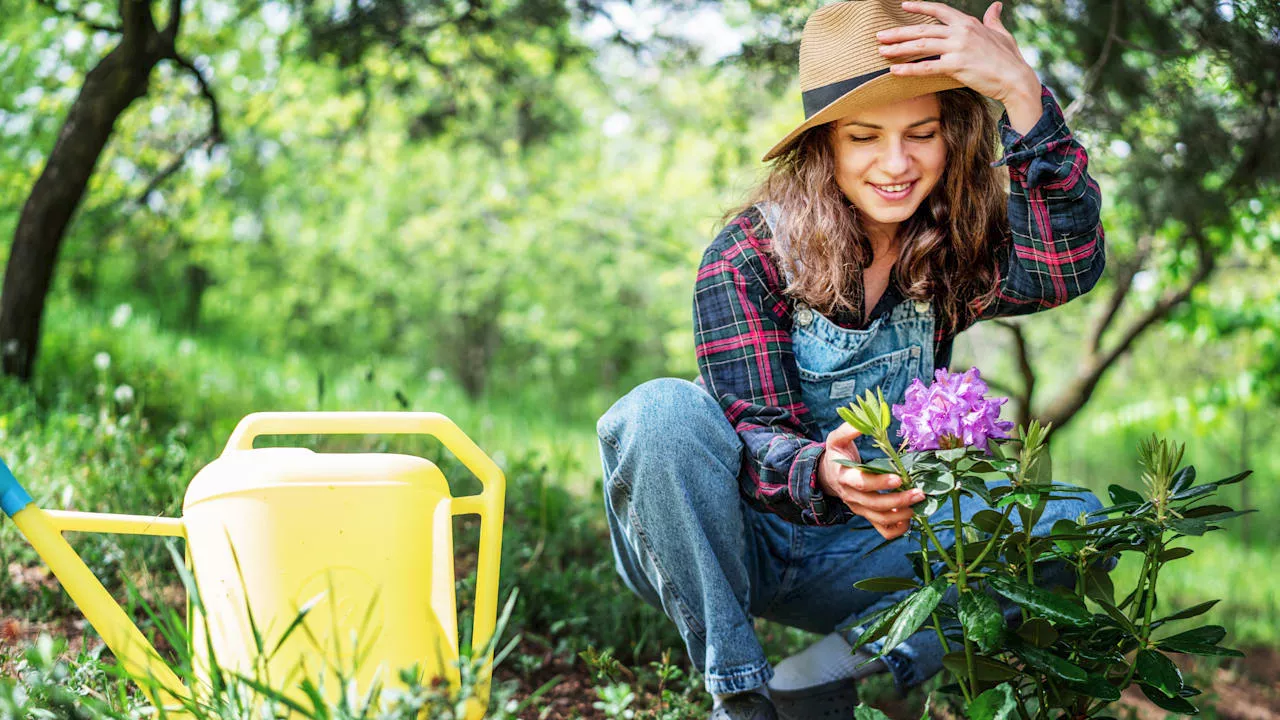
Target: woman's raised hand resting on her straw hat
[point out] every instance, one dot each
(981, 54)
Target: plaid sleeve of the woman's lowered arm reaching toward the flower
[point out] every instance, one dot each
(742, 332)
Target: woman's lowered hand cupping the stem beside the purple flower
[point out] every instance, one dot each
(890, 513)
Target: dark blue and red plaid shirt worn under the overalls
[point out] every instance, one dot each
(743, 321)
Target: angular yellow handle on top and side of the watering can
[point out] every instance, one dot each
(488, 504)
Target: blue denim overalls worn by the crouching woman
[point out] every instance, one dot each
(685, 541)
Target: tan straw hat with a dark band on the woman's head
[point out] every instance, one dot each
(842, 70)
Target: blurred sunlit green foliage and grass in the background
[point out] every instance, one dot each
(519, 270)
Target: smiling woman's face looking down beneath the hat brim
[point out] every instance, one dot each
(889, 160)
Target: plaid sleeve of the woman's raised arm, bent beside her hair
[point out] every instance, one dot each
(1057, 250)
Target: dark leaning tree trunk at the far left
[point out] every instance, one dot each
(109, 89)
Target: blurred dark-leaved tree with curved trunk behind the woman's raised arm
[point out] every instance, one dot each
(1178, 104)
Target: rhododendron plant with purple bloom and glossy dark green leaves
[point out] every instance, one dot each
(1021, 650)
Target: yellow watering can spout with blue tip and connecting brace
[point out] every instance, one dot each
(44, 530)
